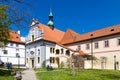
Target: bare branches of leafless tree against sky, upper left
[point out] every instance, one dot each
(19, 12)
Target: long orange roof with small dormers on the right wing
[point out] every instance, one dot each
(96, 34)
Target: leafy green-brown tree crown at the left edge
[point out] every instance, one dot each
(4, 25)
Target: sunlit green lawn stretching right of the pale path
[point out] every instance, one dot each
(82, 75)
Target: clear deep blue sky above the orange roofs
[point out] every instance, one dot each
(79, 15)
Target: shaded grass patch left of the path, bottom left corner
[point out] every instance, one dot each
(5, 75)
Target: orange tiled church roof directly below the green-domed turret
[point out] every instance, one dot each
(49, 34)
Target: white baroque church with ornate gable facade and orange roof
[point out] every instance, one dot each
(42, 47)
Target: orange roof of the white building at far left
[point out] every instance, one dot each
(15, 37)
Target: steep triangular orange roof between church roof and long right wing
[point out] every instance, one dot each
(70, 36)
